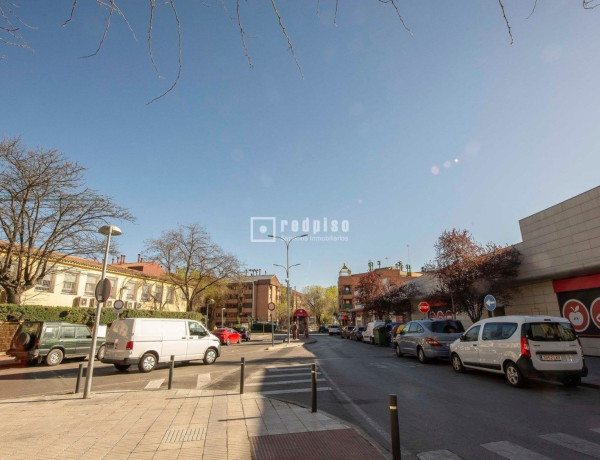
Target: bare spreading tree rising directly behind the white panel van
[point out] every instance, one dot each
(193, 262)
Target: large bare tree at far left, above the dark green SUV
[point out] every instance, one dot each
(46, 214)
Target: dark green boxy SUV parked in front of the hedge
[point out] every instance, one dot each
(53, 341)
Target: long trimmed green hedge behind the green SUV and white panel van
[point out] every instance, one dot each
(80, 315)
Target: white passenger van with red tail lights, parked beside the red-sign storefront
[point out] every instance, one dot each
(522, 347)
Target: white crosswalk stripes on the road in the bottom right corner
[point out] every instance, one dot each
(514, 451)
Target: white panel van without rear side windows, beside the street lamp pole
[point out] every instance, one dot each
(149, 341)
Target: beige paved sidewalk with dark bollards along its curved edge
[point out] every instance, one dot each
(194, 424)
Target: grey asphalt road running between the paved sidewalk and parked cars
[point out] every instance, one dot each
(443, 415)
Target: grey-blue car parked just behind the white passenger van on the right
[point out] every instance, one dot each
(428, 339)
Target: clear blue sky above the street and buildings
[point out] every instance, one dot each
(402, 136)
